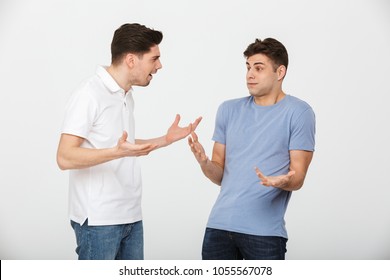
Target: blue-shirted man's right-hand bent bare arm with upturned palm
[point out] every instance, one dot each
(294, 179)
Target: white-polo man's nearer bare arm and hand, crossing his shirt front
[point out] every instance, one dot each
(70, 154)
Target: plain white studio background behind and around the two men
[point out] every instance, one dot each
(339, 64)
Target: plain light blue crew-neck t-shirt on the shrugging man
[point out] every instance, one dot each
(259, 136)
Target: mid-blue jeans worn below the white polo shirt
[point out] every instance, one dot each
(117, 242)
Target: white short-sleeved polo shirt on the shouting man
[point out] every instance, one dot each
(109, 193)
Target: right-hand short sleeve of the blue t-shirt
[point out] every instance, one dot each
(303, 130)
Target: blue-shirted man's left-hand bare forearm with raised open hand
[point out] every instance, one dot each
(212, 169)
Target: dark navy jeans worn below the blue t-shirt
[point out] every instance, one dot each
(226, 245)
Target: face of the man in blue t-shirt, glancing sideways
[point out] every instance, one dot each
(261, 77)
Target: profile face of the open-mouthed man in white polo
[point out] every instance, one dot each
(146, 66)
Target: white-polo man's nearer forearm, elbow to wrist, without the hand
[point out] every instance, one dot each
(78, 157)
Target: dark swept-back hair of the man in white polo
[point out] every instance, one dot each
(133, 38)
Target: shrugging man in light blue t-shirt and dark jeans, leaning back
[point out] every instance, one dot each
(263, 147)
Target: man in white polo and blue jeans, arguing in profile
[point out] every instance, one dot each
(99, 148)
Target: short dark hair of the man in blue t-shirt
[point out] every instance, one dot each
(271, 48)
